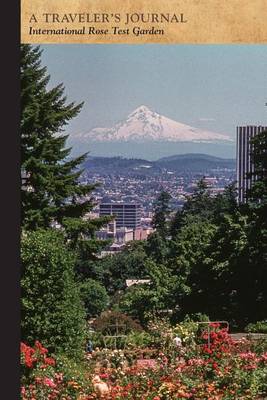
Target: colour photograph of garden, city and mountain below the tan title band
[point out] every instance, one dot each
(143, 221)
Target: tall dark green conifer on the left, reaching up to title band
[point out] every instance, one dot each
(51, 191)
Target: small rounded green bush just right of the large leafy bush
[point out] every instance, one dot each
(94, 296)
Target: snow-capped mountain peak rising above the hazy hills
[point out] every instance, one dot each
(144, 125)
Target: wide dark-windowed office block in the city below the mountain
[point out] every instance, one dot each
(127, 215)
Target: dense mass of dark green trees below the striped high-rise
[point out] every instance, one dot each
(213, 263)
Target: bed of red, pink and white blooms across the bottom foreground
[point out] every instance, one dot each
(222, 369)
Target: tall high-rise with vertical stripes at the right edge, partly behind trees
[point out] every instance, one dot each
(244, 163)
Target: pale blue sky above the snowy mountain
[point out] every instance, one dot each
(215, 87)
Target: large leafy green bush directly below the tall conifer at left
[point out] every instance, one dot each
(51, 310)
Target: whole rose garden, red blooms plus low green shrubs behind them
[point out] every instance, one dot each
(149, 365)
